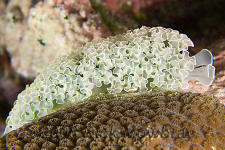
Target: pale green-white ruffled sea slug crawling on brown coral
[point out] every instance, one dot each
(145, 59)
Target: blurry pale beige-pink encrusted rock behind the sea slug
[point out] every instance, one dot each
(38, 31)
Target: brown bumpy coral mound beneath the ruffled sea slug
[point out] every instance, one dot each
(124, 133)
